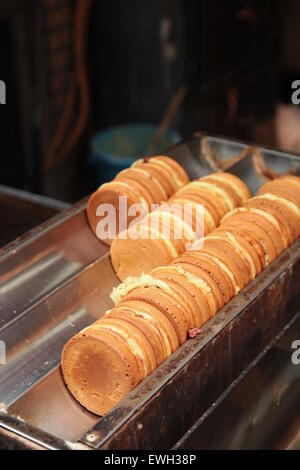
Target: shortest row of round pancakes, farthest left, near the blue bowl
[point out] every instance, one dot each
(148, 182)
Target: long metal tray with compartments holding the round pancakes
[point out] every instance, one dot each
(56, 279)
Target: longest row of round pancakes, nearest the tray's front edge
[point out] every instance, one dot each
(105, 361)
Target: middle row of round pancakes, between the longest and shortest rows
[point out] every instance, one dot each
(162, 235)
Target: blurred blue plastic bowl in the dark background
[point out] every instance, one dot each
(116, 148)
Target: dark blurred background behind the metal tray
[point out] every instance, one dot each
(75, 68)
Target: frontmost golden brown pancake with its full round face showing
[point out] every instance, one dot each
(99, 369)
